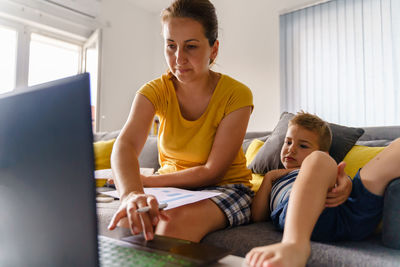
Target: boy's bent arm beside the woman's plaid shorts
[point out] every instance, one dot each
(260, 206)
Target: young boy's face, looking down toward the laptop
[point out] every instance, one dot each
(299, 143)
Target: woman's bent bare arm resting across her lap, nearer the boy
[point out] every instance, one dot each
(227, 142)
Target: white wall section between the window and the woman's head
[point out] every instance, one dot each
(127, 59)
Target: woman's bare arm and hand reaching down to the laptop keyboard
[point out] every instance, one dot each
(126, 171)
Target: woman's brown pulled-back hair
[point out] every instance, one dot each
(203, 11)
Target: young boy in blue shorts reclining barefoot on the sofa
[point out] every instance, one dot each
(309, 174)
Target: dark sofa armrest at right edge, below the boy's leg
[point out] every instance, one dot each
(391, 215)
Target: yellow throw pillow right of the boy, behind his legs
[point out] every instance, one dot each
(358, 156)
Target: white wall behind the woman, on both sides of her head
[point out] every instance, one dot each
(249, 52)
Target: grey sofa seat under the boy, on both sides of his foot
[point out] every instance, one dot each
(368, 252)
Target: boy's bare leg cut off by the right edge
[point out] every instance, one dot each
(382, 169)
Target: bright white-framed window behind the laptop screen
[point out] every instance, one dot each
(32, 55)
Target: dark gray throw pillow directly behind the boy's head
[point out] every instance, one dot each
(268, 158)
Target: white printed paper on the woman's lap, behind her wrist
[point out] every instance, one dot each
(174, 197)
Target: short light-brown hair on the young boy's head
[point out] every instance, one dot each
(315, 124)
